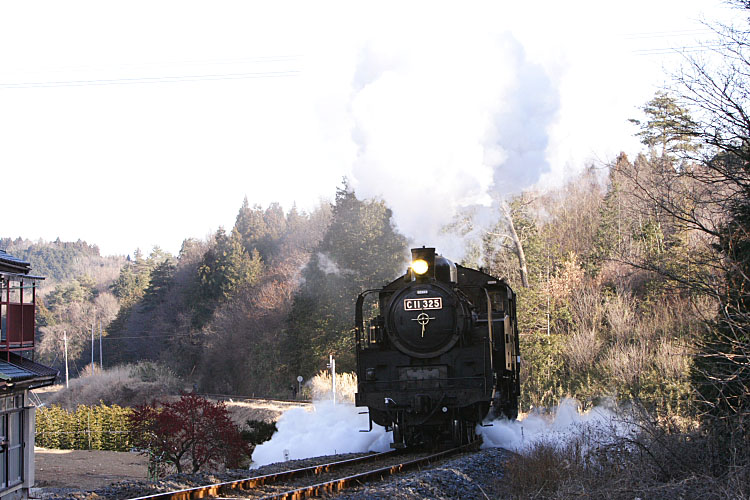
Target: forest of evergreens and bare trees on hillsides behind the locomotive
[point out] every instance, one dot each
(632, 276)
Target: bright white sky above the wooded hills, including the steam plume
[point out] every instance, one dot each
(130, 124)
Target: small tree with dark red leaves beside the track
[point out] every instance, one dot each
(191, 431)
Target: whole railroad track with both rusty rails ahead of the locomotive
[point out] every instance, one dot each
(313, 481)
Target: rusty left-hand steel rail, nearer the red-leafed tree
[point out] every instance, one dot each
(253, 482)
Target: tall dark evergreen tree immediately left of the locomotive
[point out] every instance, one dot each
(360, 250)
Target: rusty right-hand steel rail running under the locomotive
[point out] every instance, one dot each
(337, 485)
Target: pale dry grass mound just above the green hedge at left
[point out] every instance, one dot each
(127, 385)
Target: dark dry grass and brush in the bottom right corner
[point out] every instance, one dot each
(653, 463)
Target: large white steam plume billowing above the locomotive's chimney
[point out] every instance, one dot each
(443, 123)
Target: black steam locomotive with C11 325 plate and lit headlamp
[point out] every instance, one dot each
(440, 352)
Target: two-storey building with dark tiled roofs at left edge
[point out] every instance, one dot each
(19, 374)
